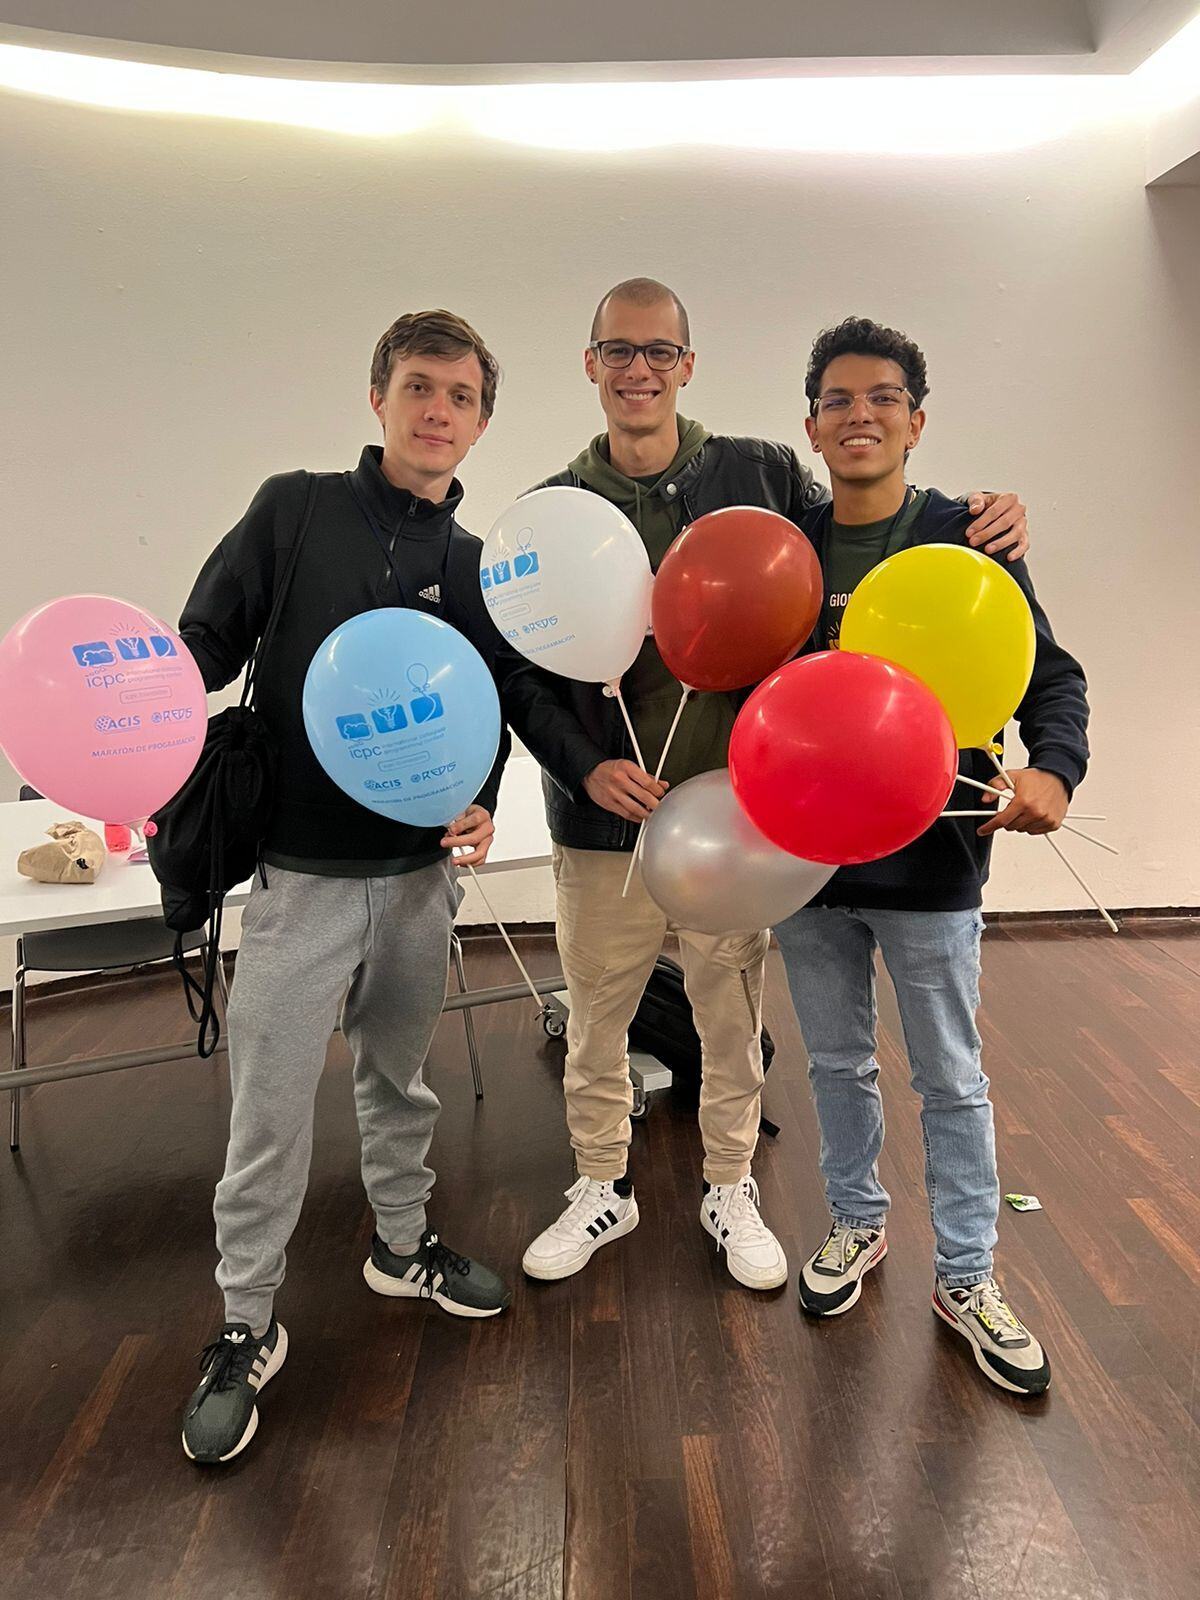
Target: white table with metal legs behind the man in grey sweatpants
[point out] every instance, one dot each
(127, 890)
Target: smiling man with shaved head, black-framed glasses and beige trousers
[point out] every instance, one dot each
(663, 471)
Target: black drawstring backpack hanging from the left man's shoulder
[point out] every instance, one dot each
(210, 834)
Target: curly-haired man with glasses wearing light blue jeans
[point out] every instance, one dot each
(921, 908)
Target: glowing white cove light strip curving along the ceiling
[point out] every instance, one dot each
(882, 116)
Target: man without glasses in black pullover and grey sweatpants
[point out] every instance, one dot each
(354, 911)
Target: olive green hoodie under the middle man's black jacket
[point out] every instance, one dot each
(652, 695)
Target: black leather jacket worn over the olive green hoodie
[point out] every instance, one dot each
(726, 473)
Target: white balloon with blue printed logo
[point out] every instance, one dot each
(567, 582)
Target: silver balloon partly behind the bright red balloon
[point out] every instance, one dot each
(710, 868)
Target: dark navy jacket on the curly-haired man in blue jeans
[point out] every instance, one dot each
(946, 868)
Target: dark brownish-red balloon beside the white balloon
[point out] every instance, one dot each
(735, 598)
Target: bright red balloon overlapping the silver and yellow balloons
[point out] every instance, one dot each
(842, 758)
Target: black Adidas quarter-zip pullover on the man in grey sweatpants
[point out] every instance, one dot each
(340, 574)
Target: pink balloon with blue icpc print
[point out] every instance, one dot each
(102, 706)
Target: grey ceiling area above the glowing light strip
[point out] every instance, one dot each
(497, 41)
